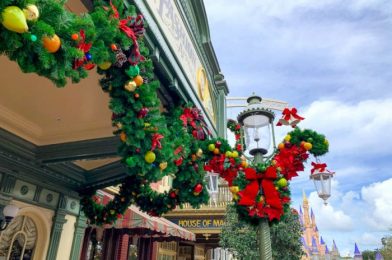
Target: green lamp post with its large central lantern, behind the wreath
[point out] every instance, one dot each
(257, 122)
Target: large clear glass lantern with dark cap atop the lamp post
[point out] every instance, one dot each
(257, 123)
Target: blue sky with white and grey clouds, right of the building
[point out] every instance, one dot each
(333, 61)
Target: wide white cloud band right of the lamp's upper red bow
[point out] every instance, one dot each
(353, 128)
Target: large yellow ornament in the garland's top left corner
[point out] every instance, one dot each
(14, 19)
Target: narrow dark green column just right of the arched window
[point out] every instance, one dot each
(57, 228)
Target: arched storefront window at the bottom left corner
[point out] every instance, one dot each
(18, 241)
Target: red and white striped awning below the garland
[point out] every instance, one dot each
(140, 223)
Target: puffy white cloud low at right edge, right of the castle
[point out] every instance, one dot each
(378, 198)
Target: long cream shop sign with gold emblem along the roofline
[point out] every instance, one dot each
(169, 20)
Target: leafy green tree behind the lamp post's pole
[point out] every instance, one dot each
(240, 238)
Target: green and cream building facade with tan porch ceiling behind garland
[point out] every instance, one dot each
(54, 143)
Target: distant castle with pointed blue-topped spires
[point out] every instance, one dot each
(313, 244)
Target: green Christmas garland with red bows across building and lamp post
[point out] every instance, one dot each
(46, 39)
